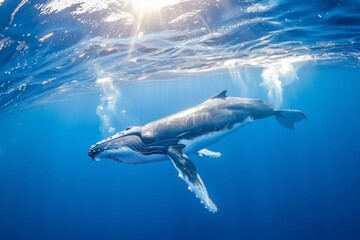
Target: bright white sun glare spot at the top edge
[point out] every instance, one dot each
(150, 6)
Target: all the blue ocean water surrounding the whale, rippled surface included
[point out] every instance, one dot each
(74, 72)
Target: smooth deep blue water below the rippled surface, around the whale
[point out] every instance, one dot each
(270, 183)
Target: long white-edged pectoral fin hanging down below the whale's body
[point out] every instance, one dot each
(188, 172)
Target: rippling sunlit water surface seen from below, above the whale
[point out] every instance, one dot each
(55, 47)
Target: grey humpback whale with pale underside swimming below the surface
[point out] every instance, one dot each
(187, 132)
